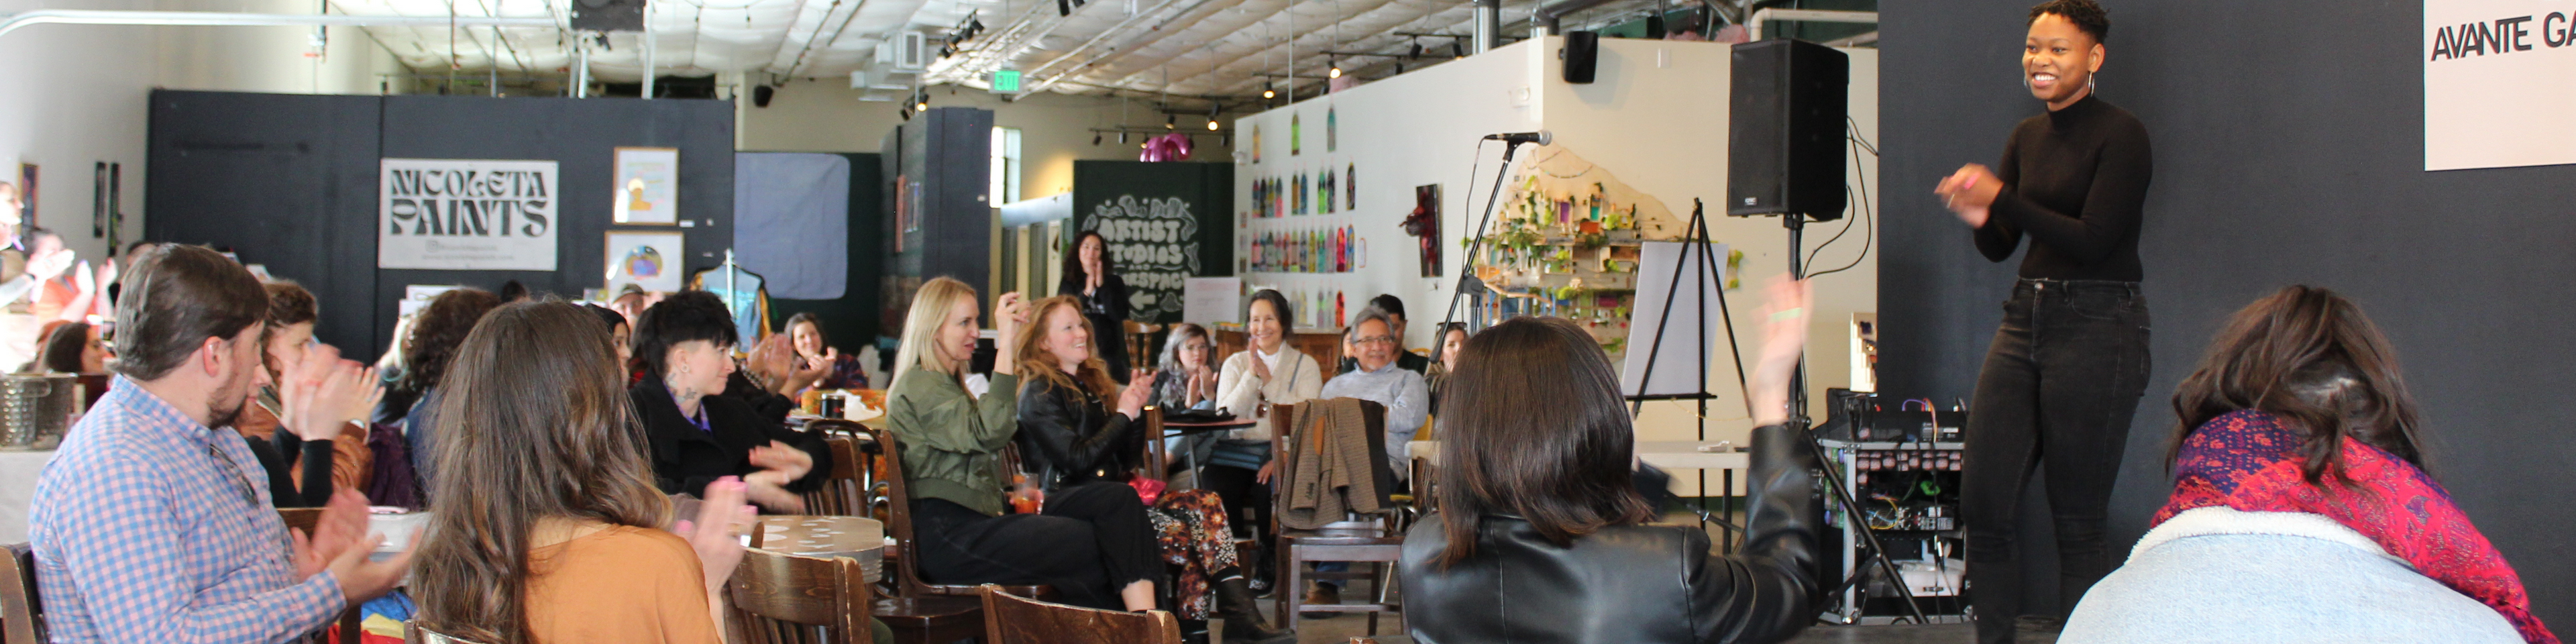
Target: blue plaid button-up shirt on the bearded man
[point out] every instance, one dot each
(151, 527)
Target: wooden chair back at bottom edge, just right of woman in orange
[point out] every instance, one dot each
(784, 599)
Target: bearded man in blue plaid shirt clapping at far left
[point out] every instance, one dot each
(153, 522)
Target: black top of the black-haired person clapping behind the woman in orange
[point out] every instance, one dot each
(687, 460)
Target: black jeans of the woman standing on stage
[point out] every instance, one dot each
(2060, 388)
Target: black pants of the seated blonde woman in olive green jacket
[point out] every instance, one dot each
(1091, 542)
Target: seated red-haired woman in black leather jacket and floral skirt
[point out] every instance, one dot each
(1078, 447)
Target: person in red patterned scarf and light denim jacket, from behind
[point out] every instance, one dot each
(2302, 506)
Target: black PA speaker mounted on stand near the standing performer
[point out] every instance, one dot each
(1786, 140)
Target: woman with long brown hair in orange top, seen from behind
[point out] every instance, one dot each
(545, 522)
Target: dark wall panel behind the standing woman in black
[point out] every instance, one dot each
(2289, 151)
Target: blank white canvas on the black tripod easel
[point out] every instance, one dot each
(1686, 357)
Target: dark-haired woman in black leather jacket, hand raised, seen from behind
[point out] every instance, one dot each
(1542, 535)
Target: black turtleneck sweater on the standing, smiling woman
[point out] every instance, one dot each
(2075, 182)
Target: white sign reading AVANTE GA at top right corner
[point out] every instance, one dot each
(2500, 84)
